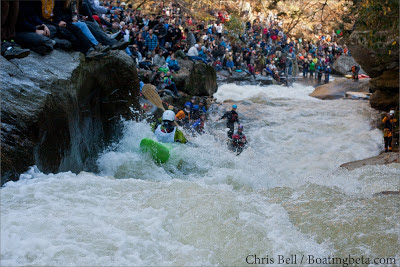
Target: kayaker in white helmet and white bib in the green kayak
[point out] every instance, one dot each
(166, 131)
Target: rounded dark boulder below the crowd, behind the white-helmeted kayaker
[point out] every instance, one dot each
(196, 78)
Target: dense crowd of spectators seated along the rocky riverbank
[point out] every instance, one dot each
(156, 42)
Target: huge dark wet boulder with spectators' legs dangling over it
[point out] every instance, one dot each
(58, 111)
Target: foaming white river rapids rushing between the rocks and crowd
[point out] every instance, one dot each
(284, 195)
